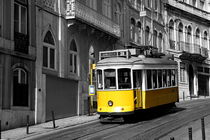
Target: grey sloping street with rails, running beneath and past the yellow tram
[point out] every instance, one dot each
(151, 124)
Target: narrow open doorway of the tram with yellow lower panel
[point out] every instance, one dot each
(137, 85)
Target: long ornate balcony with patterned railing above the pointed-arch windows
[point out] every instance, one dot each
(77, 10)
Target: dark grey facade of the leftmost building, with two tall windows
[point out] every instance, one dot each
(17, 62)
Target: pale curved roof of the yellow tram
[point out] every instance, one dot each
(135, 61)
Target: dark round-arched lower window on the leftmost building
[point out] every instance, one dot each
(20, 88)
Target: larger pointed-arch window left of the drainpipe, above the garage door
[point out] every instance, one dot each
(49, 51)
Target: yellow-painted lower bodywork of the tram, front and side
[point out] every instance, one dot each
(144, 99)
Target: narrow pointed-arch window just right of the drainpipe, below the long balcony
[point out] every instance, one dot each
(73, 54)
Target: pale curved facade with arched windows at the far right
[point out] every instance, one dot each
(187, 33)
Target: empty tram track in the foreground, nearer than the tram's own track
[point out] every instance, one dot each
(137, 131)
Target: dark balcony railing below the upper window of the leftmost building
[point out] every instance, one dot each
(21, 42)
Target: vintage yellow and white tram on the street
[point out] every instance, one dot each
(127, 82)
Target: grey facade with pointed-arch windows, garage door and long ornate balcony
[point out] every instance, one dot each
(69, 36)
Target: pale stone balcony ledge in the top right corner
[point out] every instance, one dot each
(189, 8)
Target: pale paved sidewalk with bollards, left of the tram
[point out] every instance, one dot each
(41, 129)
